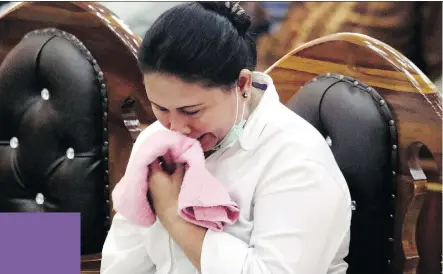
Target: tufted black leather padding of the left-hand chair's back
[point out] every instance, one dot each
(53, 139)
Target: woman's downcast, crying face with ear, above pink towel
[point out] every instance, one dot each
(205, 114)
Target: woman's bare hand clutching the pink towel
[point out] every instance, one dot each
(164, 190)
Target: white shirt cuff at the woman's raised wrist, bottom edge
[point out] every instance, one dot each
(222, 253)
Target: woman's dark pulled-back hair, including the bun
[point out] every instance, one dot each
(205, 42)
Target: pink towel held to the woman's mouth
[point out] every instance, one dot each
(203, 200)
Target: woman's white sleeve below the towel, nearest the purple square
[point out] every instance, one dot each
(123, 251)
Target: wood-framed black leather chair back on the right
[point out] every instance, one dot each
(382, 117)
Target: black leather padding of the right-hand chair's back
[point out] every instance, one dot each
(362, 134)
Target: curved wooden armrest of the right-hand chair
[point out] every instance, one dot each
(415, 192)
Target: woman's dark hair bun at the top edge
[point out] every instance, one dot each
(233, 11)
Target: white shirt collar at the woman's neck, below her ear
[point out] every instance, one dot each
(257, 120)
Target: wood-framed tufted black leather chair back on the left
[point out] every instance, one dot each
(66, 90)
